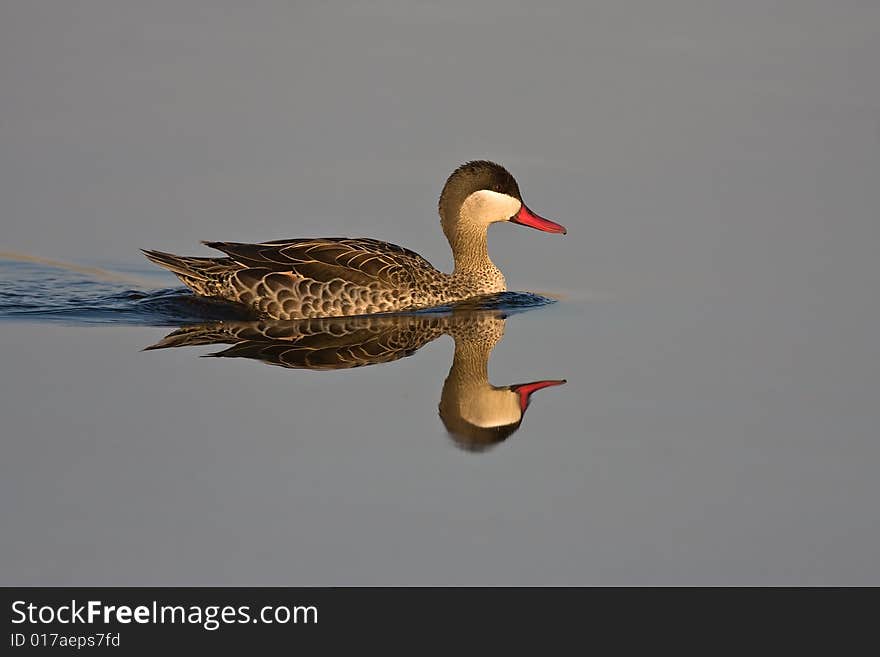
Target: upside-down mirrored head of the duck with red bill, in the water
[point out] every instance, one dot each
(486, 416)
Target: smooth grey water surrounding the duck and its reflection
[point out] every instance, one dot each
(716, 164)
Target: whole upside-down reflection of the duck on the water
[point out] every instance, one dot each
(476, 413)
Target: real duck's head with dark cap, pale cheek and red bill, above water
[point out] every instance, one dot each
(481, 193)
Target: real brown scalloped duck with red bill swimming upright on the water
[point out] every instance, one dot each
(340, 276)
